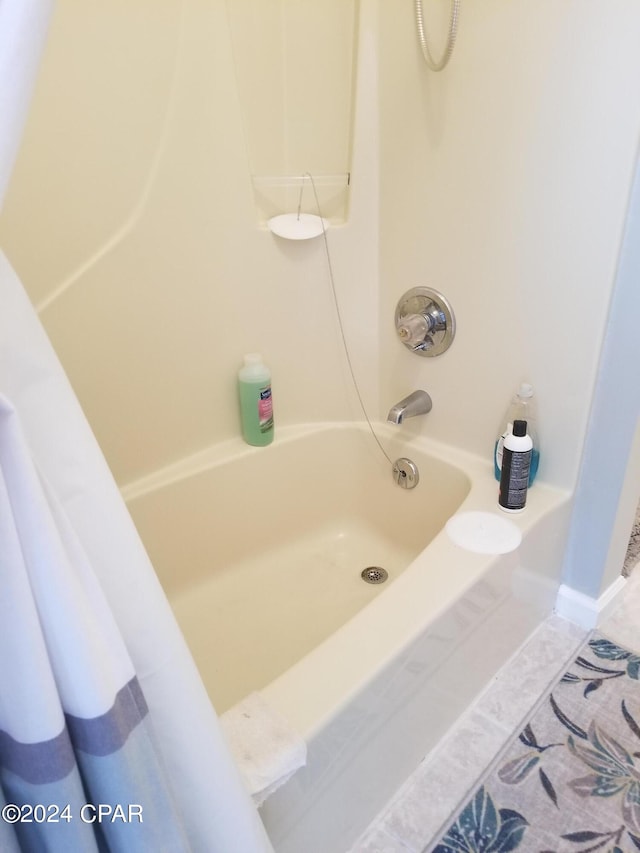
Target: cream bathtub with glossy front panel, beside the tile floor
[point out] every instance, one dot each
(260, 552)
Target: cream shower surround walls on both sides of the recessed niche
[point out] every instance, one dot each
(502, 182)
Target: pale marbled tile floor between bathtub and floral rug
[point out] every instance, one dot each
(423, 807)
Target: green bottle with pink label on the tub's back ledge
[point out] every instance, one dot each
(256, 403)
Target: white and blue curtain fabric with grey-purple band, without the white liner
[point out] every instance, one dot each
(79, 767)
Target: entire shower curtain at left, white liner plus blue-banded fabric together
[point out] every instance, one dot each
(107, 738)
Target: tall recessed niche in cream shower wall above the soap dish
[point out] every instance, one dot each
(295, 72)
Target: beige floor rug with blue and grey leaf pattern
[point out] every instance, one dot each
(570, 783)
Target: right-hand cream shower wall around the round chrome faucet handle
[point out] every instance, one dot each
(504, 184)
